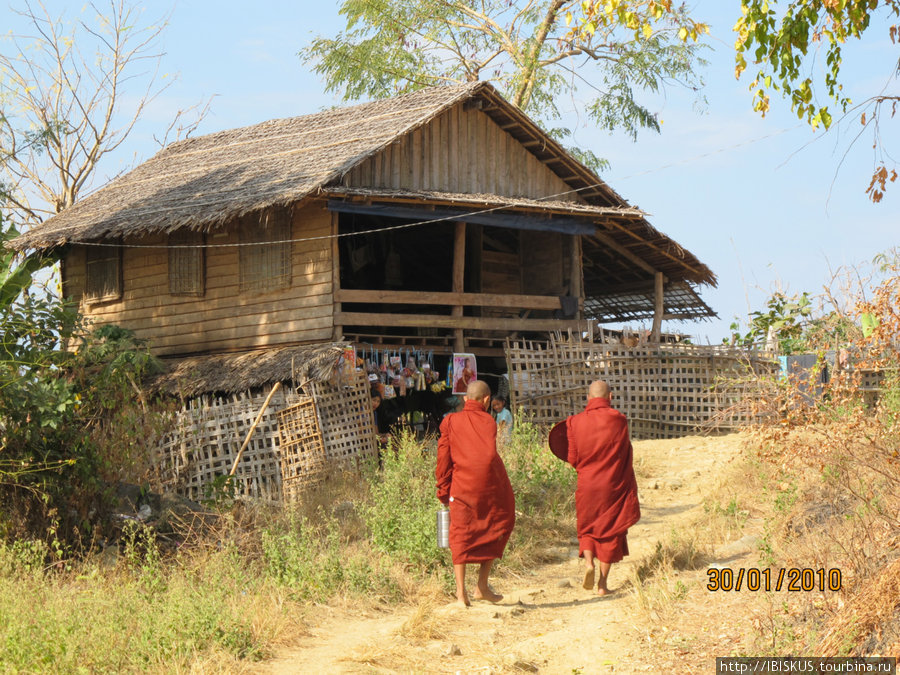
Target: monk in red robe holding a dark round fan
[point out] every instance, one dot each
(606, 502)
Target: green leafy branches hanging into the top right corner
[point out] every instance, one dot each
(784, 46)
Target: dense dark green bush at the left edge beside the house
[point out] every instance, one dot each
(61, 386)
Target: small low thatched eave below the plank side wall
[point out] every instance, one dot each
(236, 372)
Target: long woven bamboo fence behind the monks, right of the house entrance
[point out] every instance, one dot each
(666, 390)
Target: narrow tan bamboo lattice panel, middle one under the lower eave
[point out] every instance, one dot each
(302, 449)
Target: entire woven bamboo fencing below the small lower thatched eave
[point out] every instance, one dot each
(330, 428)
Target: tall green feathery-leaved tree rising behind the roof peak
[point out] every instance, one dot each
(534, 51)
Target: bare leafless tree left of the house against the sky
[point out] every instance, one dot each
(67, 100)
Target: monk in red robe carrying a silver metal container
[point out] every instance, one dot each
(472, 480)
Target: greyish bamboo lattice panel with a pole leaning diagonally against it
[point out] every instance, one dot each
(209, 432)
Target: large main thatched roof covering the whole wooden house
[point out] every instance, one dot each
(205, 182)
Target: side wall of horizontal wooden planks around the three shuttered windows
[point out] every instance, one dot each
(223, 319)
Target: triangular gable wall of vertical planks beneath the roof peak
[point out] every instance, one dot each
(461, 151)
